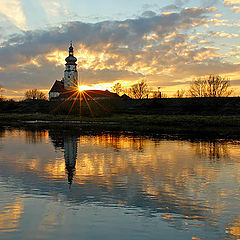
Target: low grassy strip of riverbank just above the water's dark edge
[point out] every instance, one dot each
(126, 119)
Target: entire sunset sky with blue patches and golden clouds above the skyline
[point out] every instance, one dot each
(168, 43)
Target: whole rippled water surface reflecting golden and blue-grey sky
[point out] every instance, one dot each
(57, 184)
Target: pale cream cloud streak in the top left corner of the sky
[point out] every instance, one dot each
(13, 10)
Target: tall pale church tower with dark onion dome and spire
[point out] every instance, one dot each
(70, 79)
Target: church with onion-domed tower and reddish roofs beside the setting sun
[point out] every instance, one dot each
(62, 90)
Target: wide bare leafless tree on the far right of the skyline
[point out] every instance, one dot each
(212, 86)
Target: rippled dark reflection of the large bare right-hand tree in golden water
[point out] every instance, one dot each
(212, 150)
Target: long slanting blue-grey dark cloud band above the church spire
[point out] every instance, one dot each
(33, 43)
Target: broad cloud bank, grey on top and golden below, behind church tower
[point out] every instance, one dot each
(158, 47)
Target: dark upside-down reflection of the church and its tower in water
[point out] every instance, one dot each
(68, 143)
